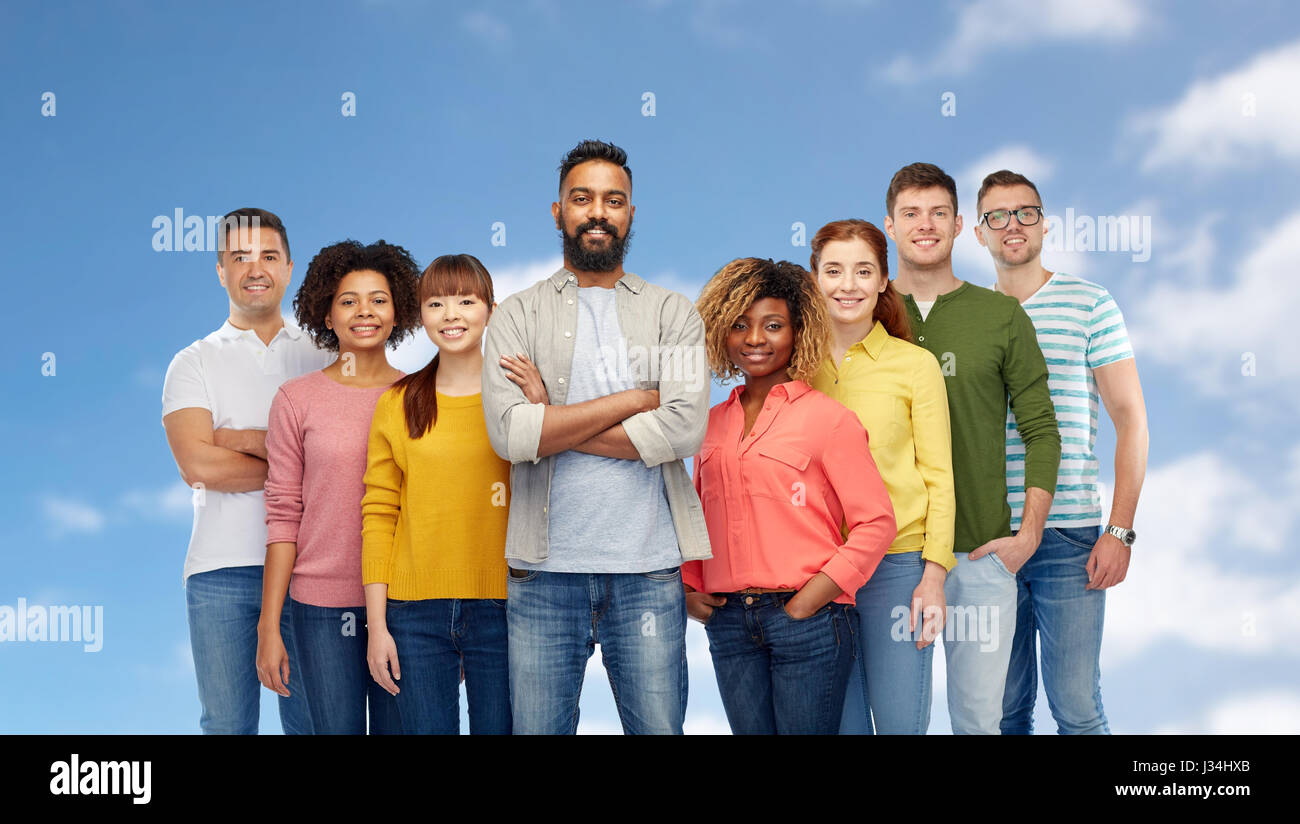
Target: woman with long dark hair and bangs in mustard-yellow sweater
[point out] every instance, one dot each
(434, 552)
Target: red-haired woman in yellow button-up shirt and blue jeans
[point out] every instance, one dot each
(896, 389)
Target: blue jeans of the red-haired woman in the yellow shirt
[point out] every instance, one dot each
(890, 689)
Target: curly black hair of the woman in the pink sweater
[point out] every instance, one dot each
(333, 263)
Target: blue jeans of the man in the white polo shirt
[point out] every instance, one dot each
(223, 608)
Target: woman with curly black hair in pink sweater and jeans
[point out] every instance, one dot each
(356, 301)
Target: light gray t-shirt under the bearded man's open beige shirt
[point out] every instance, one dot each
(606, 514)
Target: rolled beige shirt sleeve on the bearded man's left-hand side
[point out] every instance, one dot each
(514, 426)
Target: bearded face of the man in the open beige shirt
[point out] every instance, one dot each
(595, 215)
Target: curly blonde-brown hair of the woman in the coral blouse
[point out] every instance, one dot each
(743, 283)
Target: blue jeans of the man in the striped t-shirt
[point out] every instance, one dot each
(1067, 618)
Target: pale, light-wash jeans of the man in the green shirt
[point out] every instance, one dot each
(978, 635)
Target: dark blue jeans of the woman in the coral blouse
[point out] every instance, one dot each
(778, 675)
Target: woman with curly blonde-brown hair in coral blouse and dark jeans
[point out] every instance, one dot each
(798, 515)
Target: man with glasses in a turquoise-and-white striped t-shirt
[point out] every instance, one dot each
(1063, 588)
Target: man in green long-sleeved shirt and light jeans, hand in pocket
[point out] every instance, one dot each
(990, 355)
